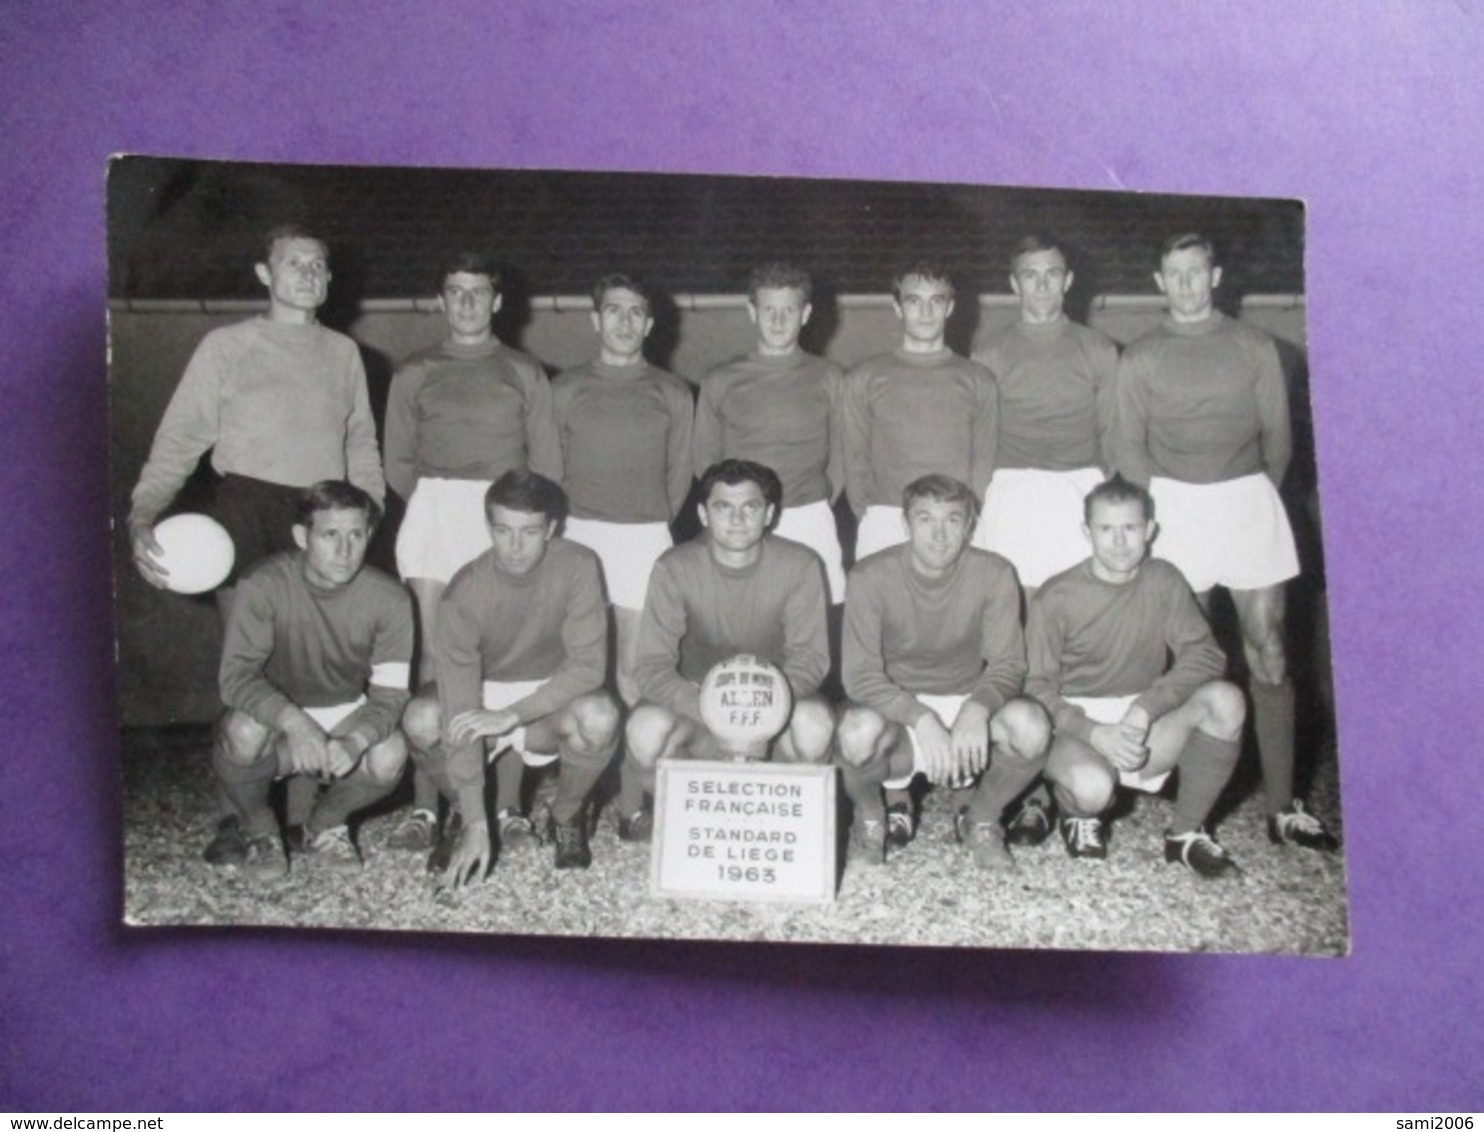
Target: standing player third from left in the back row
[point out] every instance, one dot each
(626, 431)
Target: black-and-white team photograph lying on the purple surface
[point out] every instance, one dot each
(976, 530)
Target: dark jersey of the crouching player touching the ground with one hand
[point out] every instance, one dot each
(550, 624)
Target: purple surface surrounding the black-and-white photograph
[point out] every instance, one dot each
(1370, 113)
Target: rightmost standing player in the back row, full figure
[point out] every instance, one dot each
(1203, 421)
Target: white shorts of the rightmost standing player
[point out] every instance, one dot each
(1231, 535)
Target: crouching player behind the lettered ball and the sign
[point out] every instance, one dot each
(734, 590)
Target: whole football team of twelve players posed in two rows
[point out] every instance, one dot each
(1197, 409)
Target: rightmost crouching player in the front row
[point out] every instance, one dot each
(1100, 642)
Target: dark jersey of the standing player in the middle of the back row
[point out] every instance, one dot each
(781, 412)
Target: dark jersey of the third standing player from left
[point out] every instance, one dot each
(626, 440)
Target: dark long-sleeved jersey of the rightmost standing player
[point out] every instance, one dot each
(1203, 403)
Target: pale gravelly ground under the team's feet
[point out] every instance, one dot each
(1287, 901)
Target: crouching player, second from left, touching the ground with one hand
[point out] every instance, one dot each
(523, 640)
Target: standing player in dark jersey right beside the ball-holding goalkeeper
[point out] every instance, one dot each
(458, 418)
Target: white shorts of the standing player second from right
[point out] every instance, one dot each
(1034, 517)
